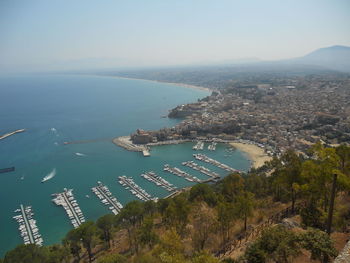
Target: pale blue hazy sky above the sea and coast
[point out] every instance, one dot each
(44, 34)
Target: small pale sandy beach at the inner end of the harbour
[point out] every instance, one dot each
(256, 154)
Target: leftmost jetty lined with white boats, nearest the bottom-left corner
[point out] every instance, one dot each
(27, 226)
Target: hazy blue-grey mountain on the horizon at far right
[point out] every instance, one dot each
(334, 57)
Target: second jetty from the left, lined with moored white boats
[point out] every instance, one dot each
(67, 200)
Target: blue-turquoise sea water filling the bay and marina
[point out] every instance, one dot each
(84, 108)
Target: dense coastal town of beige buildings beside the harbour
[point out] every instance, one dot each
(277, 114)
